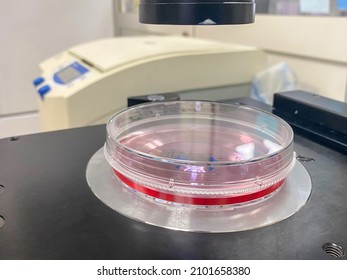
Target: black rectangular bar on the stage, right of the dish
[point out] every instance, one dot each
(319, 118)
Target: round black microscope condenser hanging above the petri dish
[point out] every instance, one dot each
(196, 12)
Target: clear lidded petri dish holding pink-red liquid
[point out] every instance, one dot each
(199, 153)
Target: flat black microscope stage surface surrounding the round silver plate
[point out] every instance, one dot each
(51, 213)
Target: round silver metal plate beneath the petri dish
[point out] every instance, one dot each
(289, 200)
